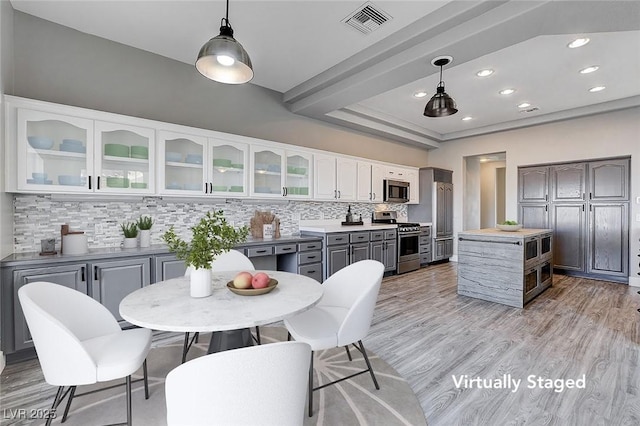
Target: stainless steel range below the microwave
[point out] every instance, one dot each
(408, 240)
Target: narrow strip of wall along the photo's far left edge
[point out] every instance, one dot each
(6, 80)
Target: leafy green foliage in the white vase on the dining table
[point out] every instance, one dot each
(211, 236)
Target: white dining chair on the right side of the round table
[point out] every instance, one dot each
(342, 317)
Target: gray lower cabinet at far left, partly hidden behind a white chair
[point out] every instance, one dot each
(72, 276)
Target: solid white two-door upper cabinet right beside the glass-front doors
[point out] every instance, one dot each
(335, 178)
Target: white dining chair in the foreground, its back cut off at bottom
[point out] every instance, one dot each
(257, 385)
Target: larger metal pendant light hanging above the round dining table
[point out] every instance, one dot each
(223, 59)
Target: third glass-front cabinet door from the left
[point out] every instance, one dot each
(182, 169)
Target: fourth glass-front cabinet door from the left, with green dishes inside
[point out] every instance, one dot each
(228, 168)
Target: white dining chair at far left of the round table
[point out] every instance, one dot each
(79, 342)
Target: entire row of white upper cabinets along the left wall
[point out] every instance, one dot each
(54, 148)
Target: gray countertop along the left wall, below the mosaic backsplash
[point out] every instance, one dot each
(116, 252)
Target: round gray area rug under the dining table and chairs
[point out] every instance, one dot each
(351, 402)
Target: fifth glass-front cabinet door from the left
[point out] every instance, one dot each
(267, 176)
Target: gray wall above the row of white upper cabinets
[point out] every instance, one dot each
(58, 64)
